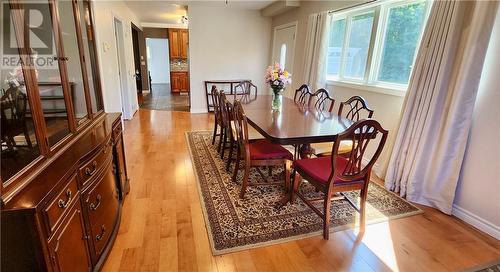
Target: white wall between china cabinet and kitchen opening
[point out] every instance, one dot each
(104, 14)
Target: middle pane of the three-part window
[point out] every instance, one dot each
(359, 43)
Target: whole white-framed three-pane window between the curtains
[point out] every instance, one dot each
(376, 45)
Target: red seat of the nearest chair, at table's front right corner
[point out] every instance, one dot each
(320, 168)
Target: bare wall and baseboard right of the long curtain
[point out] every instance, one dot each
(478, 191)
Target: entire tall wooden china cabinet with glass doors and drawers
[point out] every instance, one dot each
(64, 175)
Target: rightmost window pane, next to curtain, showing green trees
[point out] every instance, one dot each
(402, 34)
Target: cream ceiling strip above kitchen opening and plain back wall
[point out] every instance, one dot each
(171, 12)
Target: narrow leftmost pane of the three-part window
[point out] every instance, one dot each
(337, 33)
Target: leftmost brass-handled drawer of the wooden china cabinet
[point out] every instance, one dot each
(57, 206)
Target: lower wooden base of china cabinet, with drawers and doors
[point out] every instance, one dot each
(67, 217)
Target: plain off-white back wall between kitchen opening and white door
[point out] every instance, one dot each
(225, 43)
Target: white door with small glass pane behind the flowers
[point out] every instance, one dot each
(284, 45)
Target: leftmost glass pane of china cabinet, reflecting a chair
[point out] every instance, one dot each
(19, 146)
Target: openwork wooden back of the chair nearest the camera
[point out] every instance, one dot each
(361, 133)
